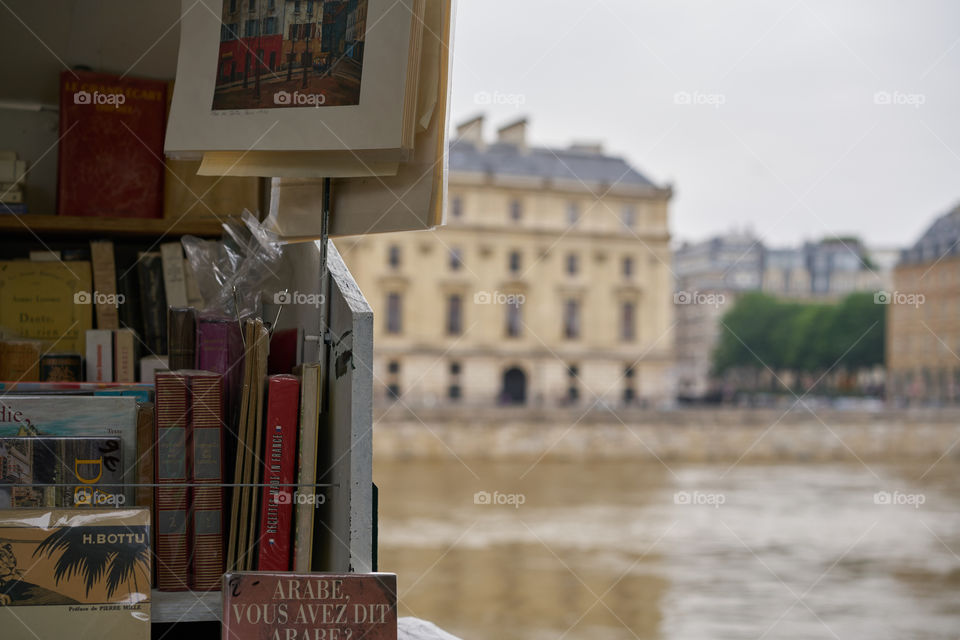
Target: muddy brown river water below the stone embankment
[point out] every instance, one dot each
(614, 550)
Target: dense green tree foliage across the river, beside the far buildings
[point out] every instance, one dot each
(763, 332)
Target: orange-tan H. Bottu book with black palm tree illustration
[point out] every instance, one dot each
(87, 570)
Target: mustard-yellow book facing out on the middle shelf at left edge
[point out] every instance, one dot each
(48, 301)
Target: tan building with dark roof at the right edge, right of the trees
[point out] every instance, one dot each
(923, 322)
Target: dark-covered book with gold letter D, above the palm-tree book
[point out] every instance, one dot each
(46, 471)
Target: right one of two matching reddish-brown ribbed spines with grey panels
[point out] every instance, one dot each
(205, 441)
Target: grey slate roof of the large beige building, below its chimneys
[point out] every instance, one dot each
(540, 162)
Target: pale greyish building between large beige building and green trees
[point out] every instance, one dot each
(710, 277)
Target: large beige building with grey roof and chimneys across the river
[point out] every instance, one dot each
(549, 286)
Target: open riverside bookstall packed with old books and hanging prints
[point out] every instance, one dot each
(185, 359)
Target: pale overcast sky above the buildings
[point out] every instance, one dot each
(805, 119)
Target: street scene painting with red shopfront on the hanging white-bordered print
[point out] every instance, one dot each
(277, 54)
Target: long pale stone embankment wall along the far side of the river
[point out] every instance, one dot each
(691, 435)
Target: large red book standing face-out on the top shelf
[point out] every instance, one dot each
(110, 160)
